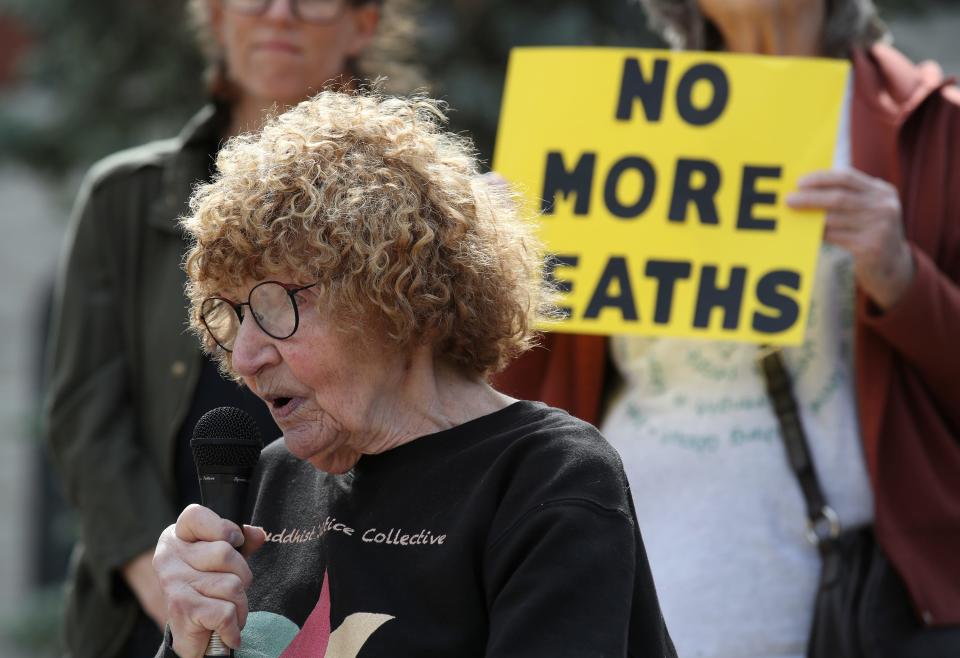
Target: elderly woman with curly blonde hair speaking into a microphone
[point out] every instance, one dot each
(355, 272)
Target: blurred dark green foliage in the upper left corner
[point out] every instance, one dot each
(104, 74)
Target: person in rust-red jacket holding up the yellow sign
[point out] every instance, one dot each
(877, 379)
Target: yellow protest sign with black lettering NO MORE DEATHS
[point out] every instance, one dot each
(661, 180)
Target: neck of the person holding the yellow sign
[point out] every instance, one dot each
(774, 30)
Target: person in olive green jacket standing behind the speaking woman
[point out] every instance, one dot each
(127, 383)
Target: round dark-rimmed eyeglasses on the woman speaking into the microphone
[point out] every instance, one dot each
(273, 306)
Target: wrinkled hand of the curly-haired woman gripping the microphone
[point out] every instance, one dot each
(204, 579)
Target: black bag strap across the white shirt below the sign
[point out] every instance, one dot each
(822, 521)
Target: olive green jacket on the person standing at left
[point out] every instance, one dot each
(123, 369)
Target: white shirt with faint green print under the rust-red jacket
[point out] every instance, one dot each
(721, 514)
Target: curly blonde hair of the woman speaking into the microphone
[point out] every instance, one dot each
(369, 196)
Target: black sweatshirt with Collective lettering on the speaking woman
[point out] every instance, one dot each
(510, 535)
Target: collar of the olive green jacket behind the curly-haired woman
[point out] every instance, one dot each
(190, 163)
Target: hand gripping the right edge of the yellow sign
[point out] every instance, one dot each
(864, 217)
